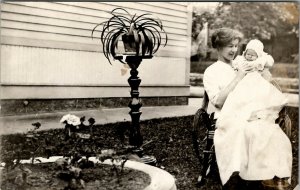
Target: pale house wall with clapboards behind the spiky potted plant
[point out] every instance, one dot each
(47, 53)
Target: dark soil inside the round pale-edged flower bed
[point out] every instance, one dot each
(46, 176)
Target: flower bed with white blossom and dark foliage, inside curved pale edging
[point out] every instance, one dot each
(74, 169)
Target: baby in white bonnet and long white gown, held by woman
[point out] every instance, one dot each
(256, 94)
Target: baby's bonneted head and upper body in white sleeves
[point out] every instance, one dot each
(254, 54)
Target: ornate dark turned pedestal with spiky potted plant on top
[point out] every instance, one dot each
(141, 39)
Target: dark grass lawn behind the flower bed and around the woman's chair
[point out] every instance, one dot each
(170, 141)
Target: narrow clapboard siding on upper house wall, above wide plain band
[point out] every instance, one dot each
(74, 21)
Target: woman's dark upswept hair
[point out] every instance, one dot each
(223, 36)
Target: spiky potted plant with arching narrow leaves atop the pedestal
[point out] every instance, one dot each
(141, 34)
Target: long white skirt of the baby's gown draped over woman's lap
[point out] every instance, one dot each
(252, 95)
